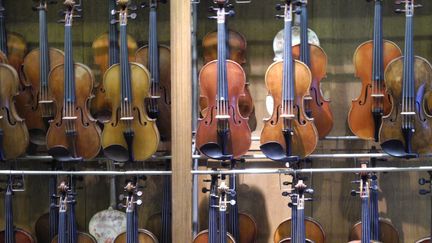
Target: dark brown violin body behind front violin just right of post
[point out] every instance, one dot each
(236, 51)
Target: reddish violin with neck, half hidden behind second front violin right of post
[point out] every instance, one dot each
(316, 106)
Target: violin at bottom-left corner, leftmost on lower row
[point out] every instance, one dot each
(12, 234)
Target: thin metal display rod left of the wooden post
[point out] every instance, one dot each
(87, 172)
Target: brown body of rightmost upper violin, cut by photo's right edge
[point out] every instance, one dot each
(391, 135)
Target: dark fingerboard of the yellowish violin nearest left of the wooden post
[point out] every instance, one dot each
(124, 64)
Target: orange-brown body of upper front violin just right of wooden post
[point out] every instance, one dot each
(239, 140)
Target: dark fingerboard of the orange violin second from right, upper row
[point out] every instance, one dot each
(378, 54)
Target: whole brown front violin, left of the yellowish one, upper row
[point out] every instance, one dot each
(73, 133)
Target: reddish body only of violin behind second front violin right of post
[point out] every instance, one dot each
(318, 105)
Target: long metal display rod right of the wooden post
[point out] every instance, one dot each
(312, 170)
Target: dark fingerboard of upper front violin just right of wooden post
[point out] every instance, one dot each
(222, 74)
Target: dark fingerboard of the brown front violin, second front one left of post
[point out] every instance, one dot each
(69, 72)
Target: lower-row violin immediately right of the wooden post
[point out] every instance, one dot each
(212, 235)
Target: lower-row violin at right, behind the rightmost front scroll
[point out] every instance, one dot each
(382, 230)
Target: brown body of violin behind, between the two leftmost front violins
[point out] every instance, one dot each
(37, 114)
